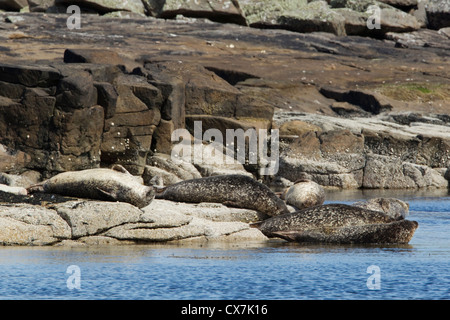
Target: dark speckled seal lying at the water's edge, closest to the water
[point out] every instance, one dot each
(338, 223)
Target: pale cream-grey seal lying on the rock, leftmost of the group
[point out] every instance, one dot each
(115, 184)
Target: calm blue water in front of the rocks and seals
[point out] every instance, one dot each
(248, 271)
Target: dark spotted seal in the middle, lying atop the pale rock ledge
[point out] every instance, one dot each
(233, 190)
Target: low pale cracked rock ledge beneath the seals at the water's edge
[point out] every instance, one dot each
(72, 222)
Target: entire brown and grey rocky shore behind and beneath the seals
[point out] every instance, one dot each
(355, 108)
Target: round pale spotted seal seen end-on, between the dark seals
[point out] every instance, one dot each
(304, 194)
